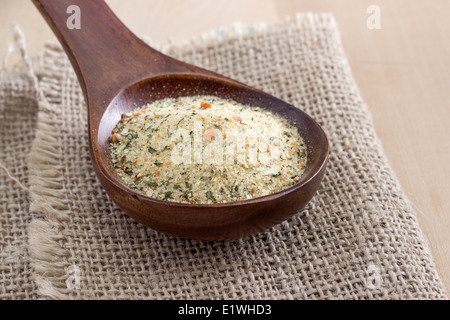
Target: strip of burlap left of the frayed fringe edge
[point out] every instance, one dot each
(18, 109)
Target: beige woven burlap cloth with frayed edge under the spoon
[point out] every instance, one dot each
(62, 237)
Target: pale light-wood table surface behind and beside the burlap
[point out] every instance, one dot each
(402, 70)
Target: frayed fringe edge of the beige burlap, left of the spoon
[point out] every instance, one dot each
(45, 185)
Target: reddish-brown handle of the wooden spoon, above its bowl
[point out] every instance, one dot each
(105, 54)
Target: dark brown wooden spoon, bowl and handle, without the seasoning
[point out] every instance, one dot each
(118, 72)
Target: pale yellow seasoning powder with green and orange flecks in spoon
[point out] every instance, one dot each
(205, 149)
